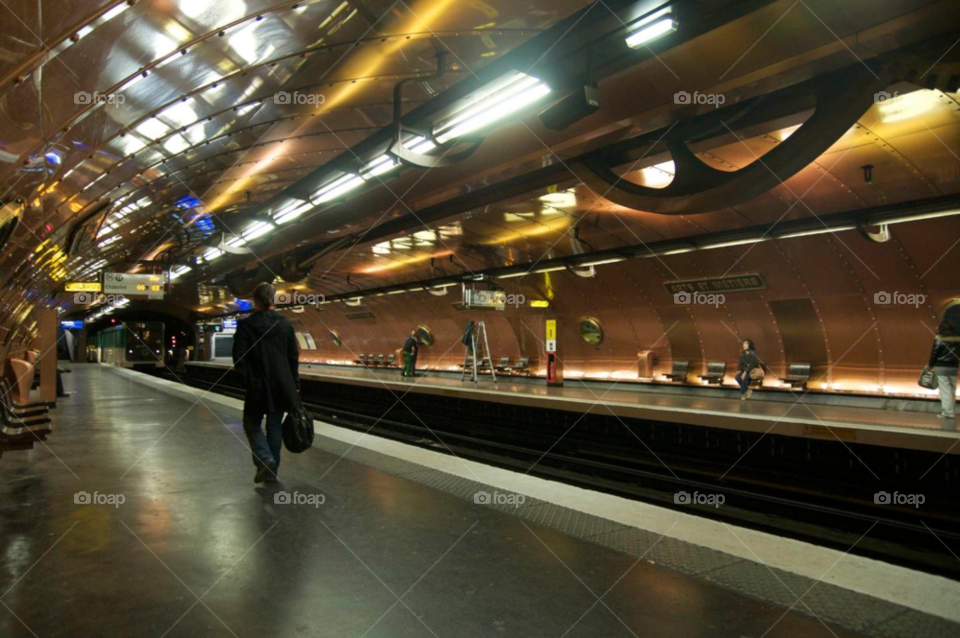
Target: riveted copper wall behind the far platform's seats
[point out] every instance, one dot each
(819, 307)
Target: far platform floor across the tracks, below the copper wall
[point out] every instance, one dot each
(791, 416)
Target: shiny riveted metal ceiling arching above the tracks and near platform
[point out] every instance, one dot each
(141, 133)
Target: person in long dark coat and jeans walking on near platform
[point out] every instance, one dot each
(266, 355)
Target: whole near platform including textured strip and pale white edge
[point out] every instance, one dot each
(399, 547)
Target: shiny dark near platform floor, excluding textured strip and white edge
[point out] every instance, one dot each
(196, 549)
